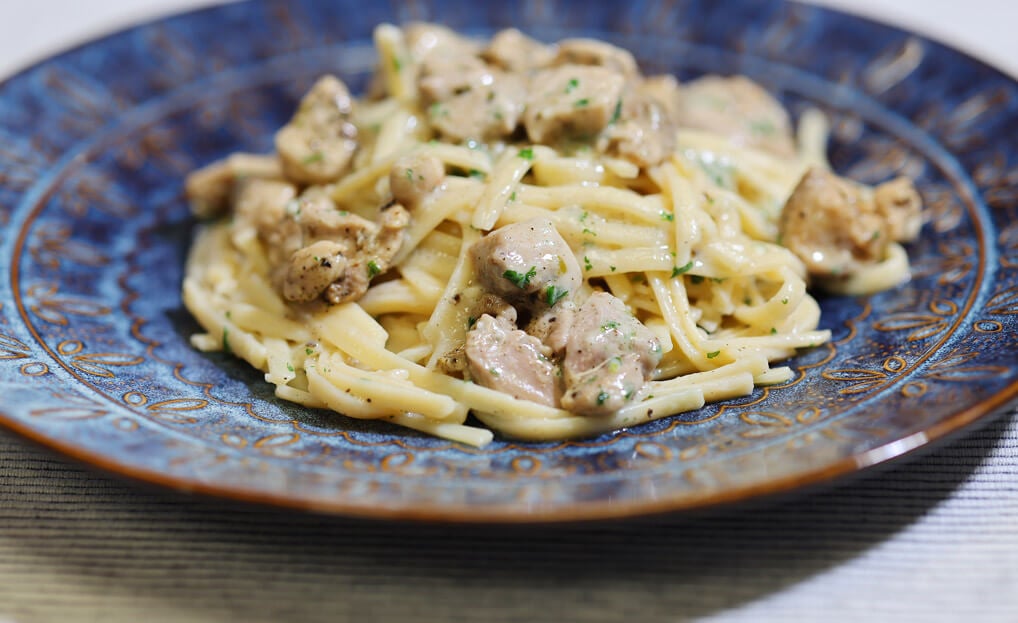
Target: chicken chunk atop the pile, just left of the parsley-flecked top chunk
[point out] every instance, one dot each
(469, 100)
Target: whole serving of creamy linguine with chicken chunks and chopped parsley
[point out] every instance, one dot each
(535, 236)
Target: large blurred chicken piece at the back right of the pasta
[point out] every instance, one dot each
(739, 109)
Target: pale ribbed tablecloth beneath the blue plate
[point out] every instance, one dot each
(933, 539)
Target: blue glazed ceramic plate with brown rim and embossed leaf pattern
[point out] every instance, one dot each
(94, 354)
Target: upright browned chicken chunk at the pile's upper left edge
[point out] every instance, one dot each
(317, 146)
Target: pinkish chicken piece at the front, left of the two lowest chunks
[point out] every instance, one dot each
(507, 360)
